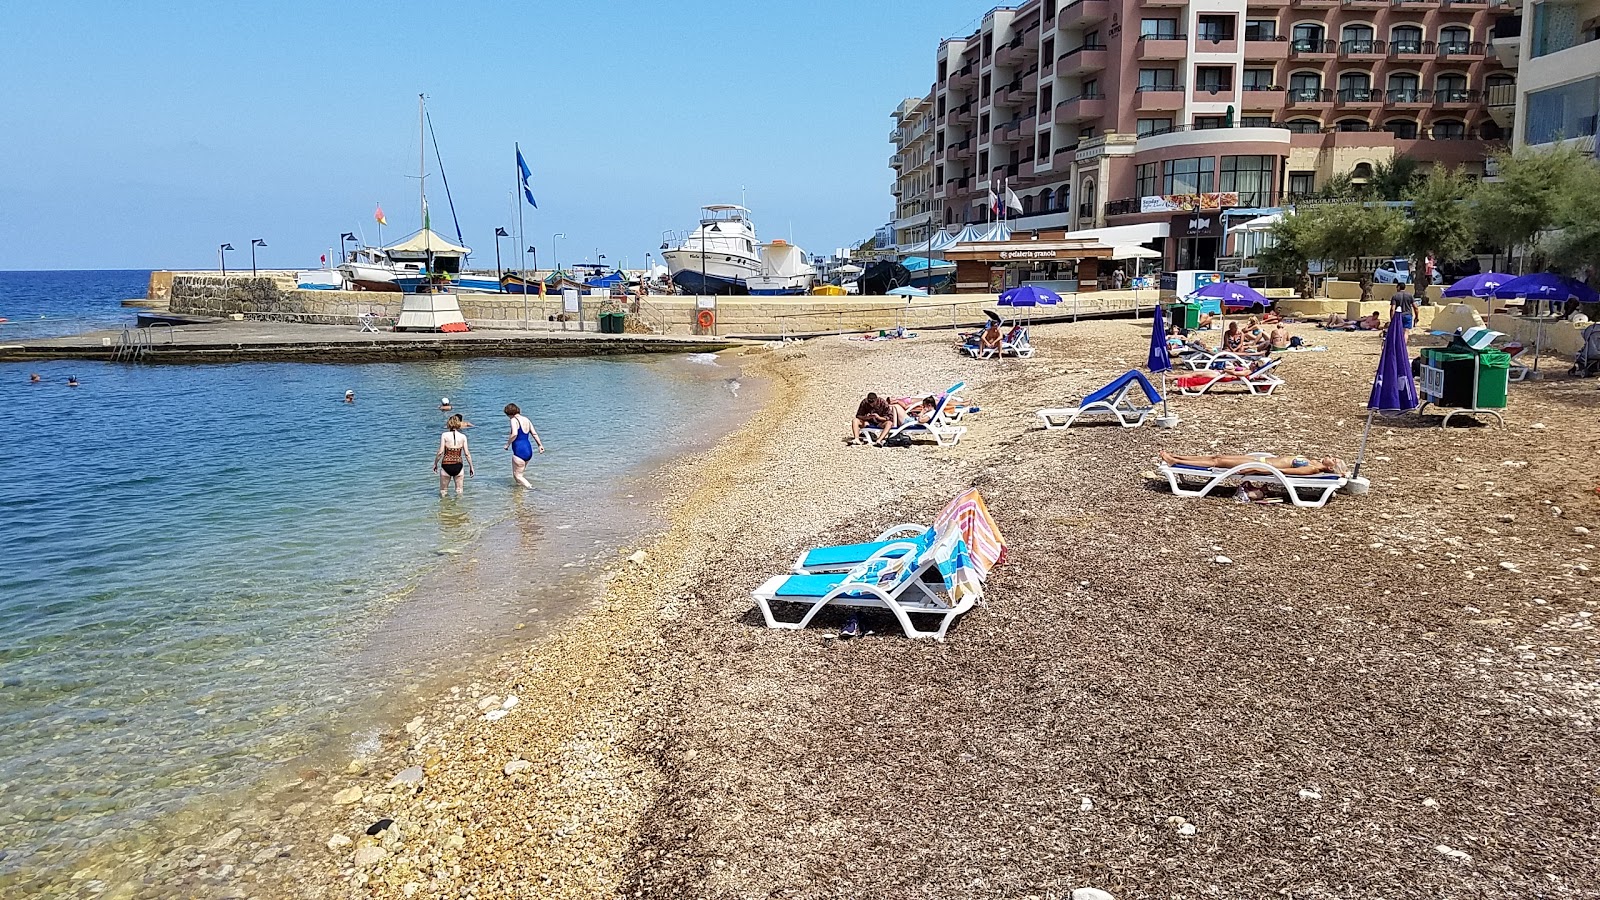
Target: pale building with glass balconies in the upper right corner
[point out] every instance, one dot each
(1554, 50)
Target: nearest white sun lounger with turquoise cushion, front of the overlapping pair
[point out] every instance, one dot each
(895, 584)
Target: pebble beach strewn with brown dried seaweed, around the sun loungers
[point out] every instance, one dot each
(1159, 697)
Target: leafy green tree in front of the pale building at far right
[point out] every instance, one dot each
(1513, 211)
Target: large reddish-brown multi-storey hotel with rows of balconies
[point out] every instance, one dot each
(1114, 113)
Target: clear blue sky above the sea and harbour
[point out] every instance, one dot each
(145, 135)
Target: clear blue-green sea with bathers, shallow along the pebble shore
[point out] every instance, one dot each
(209, 573)
